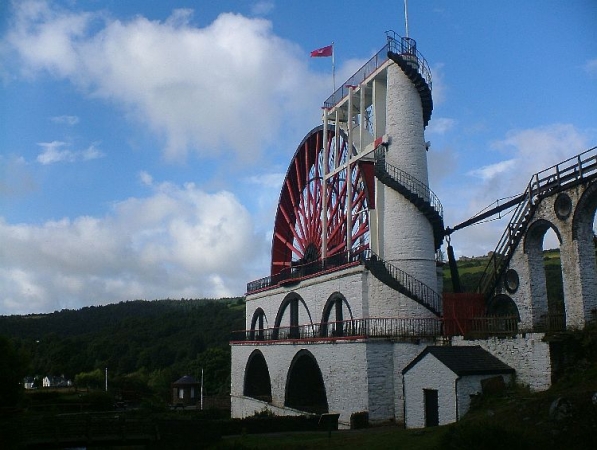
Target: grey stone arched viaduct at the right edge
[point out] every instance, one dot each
(570, 214)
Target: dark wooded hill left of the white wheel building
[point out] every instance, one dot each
(142, 343)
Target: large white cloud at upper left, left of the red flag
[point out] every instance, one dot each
(228, 86)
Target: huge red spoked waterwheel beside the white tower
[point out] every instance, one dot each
(298, 228)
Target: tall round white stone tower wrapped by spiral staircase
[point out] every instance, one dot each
(406, 237)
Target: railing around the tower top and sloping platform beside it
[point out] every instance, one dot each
(396, 44)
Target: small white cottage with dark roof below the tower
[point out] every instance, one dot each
(439, 383)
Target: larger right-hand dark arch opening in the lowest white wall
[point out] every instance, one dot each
(305, 389)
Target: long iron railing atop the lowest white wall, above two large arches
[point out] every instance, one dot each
(354, 328)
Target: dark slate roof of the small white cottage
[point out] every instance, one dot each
(471, 360)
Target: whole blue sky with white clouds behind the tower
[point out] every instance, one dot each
(144, 143)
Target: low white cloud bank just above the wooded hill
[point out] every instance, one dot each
(178, 242)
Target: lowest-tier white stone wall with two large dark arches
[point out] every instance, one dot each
(358, 376)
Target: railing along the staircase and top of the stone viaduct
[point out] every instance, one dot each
(568, 173)
